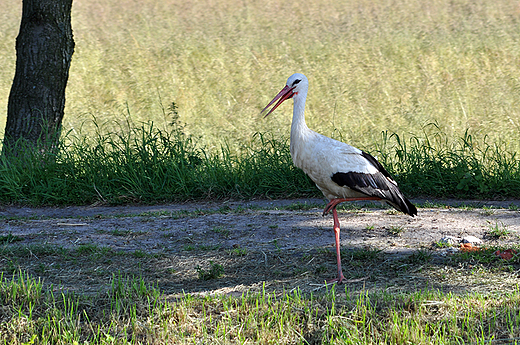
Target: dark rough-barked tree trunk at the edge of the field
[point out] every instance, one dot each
(44, 49)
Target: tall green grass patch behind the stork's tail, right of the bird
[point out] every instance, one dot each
(435, 164)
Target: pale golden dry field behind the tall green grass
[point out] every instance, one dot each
(373, 66)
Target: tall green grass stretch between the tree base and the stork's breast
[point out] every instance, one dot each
(147, 164)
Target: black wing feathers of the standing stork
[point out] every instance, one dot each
(380, 185)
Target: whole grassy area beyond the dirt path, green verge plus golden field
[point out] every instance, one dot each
(447, 109)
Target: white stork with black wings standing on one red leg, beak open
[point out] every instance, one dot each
(341, 172)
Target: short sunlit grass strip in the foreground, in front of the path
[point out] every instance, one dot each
(132, 311)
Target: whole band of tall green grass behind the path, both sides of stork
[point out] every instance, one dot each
(147, 164)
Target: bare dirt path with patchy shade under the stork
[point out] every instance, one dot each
(249, 246)
